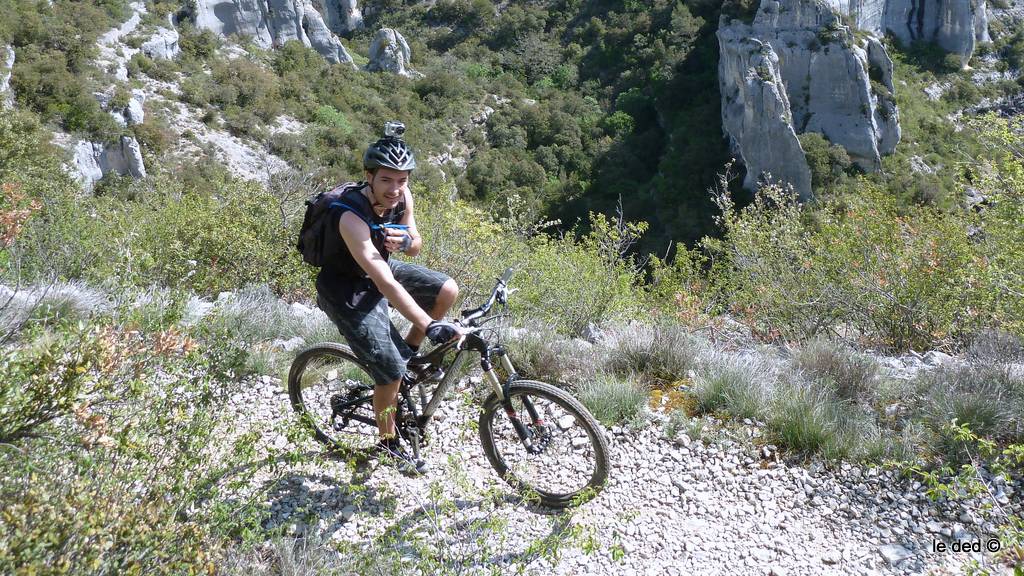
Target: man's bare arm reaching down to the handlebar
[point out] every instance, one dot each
(357, 236)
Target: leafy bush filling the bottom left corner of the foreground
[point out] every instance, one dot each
(111, 471)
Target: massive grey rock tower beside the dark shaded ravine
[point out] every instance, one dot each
(835, 85)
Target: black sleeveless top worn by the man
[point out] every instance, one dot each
(343, 281)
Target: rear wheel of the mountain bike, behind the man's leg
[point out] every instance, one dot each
(333, 393)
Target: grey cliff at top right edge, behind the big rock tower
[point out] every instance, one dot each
(958, 26)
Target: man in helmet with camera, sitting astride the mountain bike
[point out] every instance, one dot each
(375, 219)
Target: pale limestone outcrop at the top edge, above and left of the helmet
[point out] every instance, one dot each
(273, 23)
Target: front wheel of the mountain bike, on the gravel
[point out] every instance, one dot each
(565, 456)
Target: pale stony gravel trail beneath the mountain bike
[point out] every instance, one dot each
(726, 504)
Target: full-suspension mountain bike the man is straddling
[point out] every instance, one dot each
(541, 441)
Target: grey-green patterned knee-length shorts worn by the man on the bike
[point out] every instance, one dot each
(372, 336)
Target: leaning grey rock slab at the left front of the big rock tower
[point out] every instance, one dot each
(756, 112)
